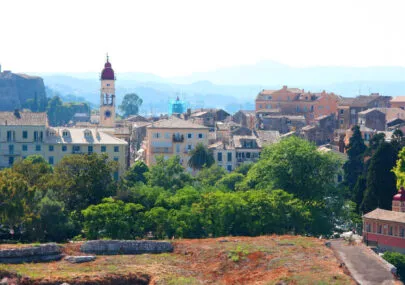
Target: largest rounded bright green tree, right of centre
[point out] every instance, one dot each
(296, 166)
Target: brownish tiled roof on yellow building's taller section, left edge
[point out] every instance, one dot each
(23, 118)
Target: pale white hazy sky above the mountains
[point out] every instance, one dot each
(171, 37)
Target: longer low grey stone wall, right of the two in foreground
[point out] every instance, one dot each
(125, 247)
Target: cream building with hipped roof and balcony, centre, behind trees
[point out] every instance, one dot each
(173, 136)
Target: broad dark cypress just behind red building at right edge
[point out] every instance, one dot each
(381, 183)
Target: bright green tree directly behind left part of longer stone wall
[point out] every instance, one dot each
(113, 219)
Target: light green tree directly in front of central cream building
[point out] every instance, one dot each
(168, 174)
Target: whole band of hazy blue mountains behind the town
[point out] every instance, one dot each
(234, 88)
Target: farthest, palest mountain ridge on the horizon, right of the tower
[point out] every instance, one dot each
(273, 73)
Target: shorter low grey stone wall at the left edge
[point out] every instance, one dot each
(41, 253)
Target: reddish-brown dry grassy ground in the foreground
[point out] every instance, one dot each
(231, 260)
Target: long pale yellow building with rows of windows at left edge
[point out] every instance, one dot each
(27, 133)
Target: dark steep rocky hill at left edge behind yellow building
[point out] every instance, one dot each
(19, 91)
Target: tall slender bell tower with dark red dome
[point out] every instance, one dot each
(107, 96)
